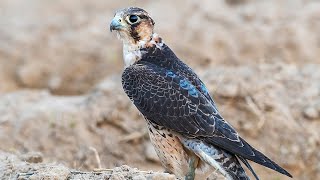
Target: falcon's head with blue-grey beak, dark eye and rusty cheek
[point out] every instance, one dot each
(132, 25)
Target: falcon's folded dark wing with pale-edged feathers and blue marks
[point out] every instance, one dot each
(171, 100)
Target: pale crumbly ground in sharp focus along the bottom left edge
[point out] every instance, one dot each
(30, 166)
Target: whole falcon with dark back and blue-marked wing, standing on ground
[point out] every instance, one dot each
(189, 134)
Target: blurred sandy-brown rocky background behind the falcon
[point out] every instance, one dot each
(60, 78)
